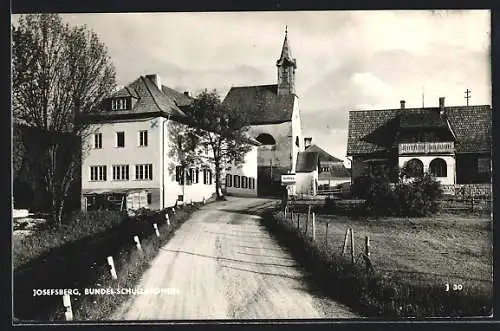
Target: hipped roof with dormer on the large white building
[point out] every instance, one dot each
(146, 99)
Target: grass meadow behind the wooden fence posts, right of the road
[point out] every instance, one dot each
(438, 250)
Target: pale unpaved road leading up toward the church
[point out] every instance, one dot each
(222, 264)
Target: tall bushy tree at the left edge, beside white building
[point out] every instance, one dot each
(59, 72)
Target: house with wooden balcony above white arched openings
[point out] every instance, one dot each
(452, 143)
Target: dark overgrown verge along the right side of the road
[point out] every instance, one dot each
(373, 294)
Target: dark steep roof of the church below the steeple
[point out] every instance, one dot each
(261, 103)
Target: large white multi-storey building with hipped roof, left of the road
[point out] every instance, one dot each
(132, 148)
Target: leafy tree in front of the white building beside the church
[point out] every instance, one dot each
(222, 130)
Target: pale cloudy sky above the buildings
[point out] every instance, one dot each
(346, 60)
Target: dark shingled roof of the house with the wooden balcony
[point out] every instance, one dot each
(373, 131)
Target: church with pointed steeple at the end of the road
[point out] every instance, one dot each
(274, 116)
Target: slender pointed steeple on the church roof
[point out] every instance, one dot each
(286, 69)
